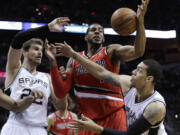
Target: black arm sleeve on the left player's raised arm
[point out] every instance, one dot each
(22, 36)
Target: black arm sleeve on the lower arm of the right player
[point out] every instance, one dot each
(137, 128)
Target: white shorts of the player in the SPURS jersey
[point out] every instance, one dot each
(12, 127)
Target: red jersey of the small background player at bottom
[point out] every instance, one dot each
(61, 124)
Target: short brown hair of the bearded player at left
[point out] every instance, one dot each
(28, 43)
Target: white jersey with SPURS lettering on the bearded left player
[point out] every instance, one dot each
(23, 84)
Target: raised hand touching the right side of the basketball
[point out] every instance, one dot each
(141, 11)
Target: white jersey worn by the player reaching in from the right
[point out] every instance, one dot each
(135, 110)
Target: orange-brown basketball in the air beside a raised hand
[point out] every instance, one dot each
(123, 21)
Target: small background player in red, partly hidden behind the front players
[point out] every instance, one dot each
(58, 121)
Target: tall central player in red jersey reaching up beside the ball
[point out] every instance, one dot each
(96, 99)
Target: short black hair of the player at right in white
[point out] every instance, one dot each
(153, 69)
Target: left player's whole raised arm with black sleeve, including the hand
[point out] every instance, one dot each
(15, 50)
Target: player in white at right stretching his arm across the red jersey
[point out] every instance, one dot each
(145, 107)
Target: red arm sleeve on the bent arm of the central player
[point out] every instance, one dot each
(61, 87)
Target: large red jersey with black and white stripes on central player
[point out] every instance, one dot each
(95, 98)
